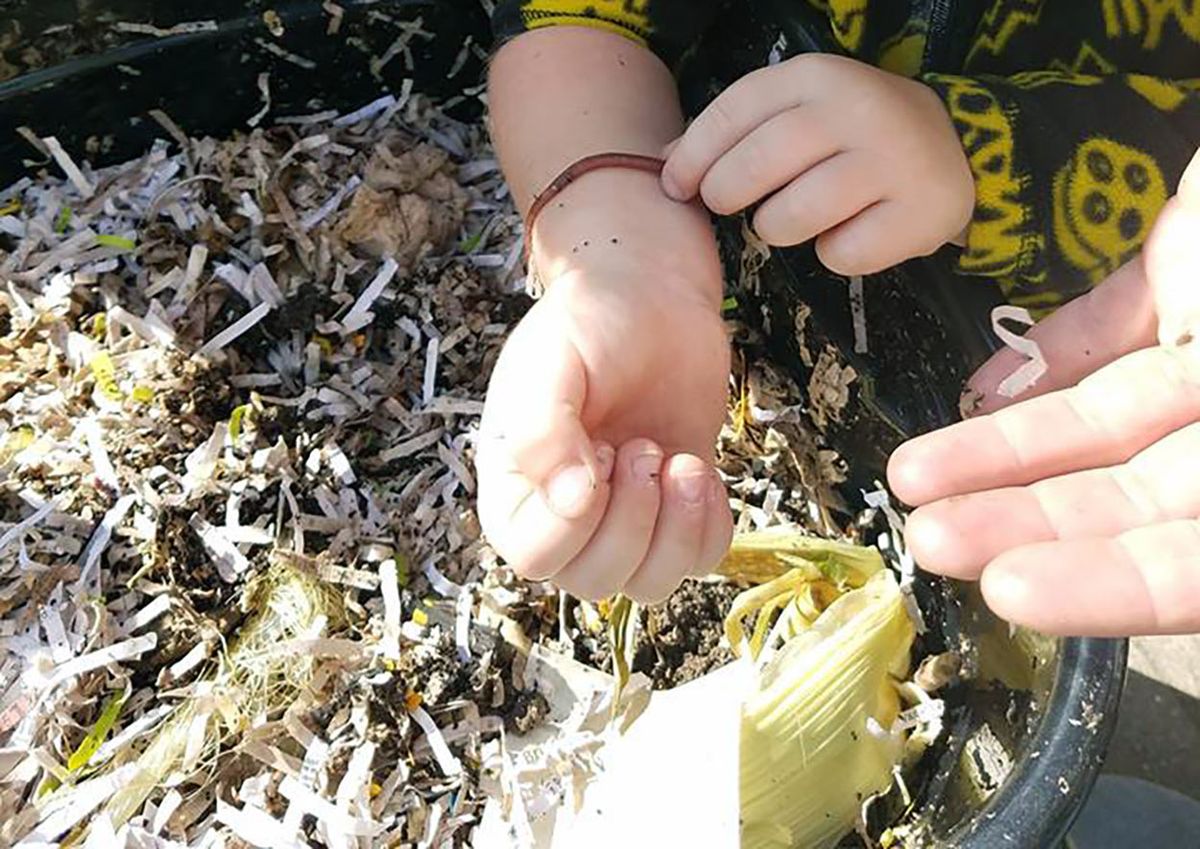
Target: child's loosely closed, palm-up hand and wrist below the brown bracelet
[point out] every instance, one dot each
(597, 444)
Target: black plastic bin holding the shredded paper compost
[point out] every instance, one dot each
(1028, 732)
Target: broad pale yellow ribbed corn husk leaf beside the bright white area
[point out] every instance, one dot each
(807, 757)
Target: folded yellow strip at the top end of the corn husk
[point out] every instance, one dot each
(763, 557)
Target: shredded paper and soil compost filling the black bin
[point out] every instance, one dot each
(244, 599)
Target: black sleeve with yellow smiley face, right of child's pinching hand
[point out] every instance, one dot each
(1071, 172)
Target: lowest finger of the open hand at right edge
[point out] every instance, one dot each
(1143, 582)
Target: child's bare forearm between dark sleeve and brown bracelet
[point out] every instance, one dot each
(566, 93)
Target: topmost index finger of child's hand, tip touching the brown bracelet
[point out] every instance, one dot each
(731, 117)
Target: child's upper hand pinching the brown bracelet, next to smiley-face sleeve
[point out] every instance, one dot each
(866, 161)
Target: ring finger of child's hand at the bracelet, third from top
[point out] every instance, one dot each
(821, 198)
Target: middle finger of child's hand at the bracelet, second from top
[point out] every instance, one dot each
(769, 159)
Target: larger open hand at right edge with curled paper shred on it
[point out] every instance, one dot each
(1079, 508)
